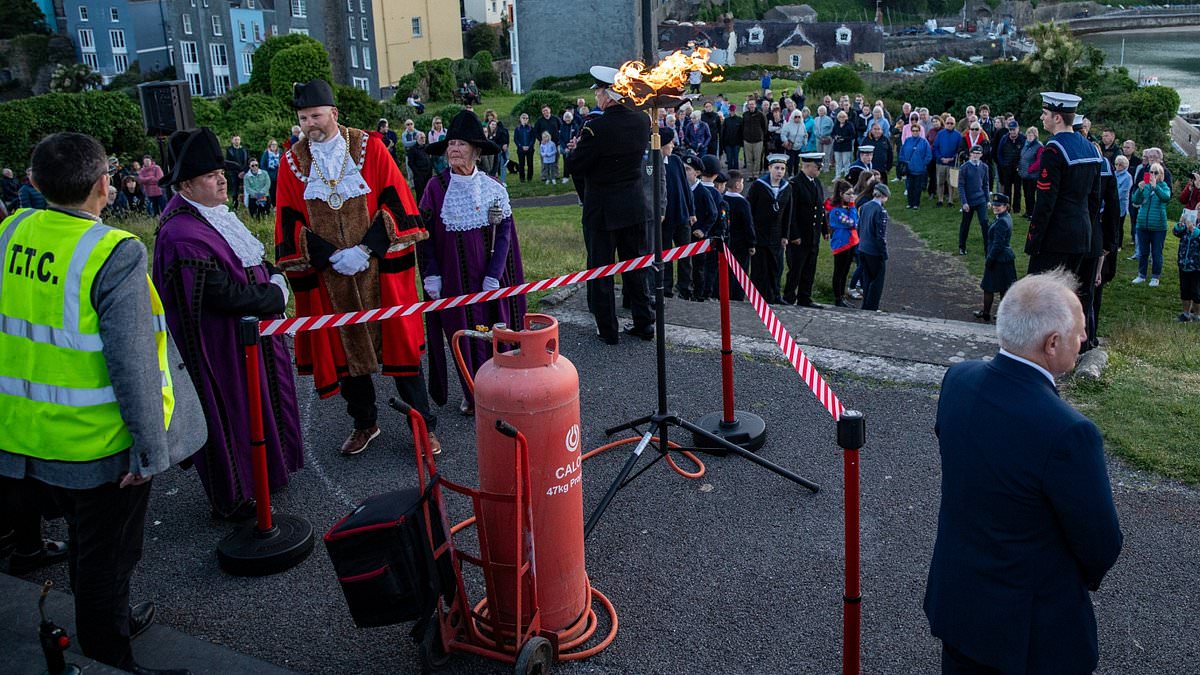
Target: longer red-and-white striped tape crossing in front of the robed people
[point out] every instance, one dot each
(302, 324)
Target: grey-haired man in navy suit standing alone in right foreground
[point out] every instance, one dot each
(1027, 525)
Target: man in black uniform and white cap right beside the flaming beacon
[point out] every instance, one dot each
(609, 157)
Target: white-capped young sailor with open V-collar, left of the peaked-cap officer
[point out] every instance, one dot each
(771, 202)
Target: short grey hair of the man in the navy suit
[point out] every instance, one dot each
(1035, 308)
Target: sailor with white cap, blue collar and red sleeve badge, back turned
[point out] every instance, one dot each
(1069, 195)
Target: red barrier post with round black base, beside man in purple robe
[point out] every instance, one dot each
(275, 542)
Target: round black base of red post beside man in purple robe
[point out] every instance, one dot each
(248, 552)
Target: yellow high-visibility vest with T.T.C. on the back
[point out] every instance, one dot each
(57, 401)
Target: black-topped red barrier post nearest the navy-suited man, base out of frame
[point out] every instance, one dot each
(851, 438)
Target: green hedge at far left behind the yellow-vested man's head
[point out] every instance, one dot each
(110, 117)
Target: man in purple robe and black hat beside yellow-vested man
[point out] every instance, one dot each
(209, 271)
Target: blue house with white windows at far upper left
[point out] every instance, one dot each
(110, 35)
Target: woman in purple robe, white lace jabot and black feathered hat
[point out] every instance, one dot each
(472, 248)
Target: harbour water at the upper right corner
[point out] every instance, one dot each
(1169, 55)
